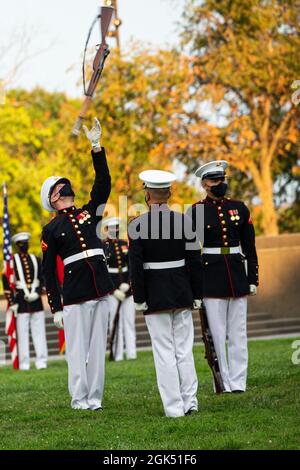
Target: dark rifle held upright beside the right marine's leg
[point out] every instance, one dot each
(210, 352)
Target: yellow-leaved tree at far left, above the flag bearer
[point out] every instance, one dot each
(30, 122)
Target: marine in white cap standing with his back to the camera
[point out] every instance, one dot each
(166, 283)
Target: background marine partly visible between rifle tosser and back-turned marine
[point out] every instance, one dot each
(117, 259)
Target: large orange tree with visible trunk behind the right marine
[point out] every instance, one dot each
(245, 56)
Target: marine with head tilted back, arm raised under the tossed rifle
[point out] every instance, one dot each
(72, 235)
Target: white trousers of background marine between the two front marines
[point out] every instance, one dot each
(126, 328)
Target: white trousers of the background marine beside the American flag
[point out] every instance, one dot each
(36, 322)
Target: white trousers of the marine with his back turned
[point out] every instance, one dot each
(172, 338)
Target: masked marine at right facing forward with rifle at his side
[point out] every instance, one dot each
(230, 271)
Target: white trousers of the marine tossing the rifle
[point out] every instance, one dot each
(85, 328)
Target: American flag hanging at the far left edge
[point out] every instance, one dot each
(11, 328)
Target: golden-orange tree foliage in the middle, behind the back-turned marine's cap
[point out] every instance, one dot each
(139, 96)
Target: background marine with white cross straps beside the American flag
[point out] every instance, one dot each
(27, 304)
